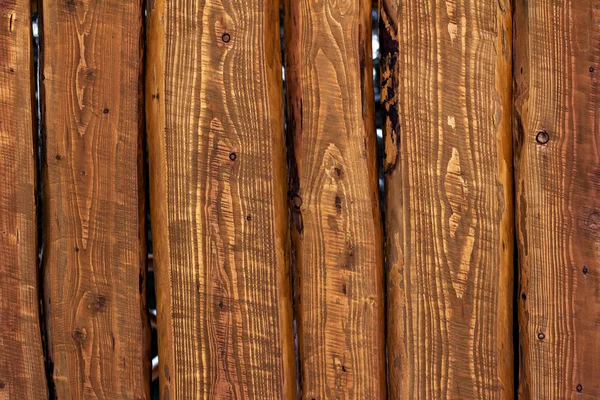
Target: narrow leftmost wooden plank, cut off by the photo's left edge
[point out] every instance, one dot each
(22, 373)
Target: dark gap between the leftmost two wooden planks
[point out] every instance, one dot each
(40, 159)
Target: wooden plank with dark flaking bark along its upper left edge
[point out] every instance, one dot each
(446, 88)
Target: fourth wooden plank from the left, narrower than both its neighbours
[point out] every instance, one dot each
(333, 189)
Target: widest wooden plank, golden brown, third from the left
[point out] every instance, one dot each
(218, 200)
